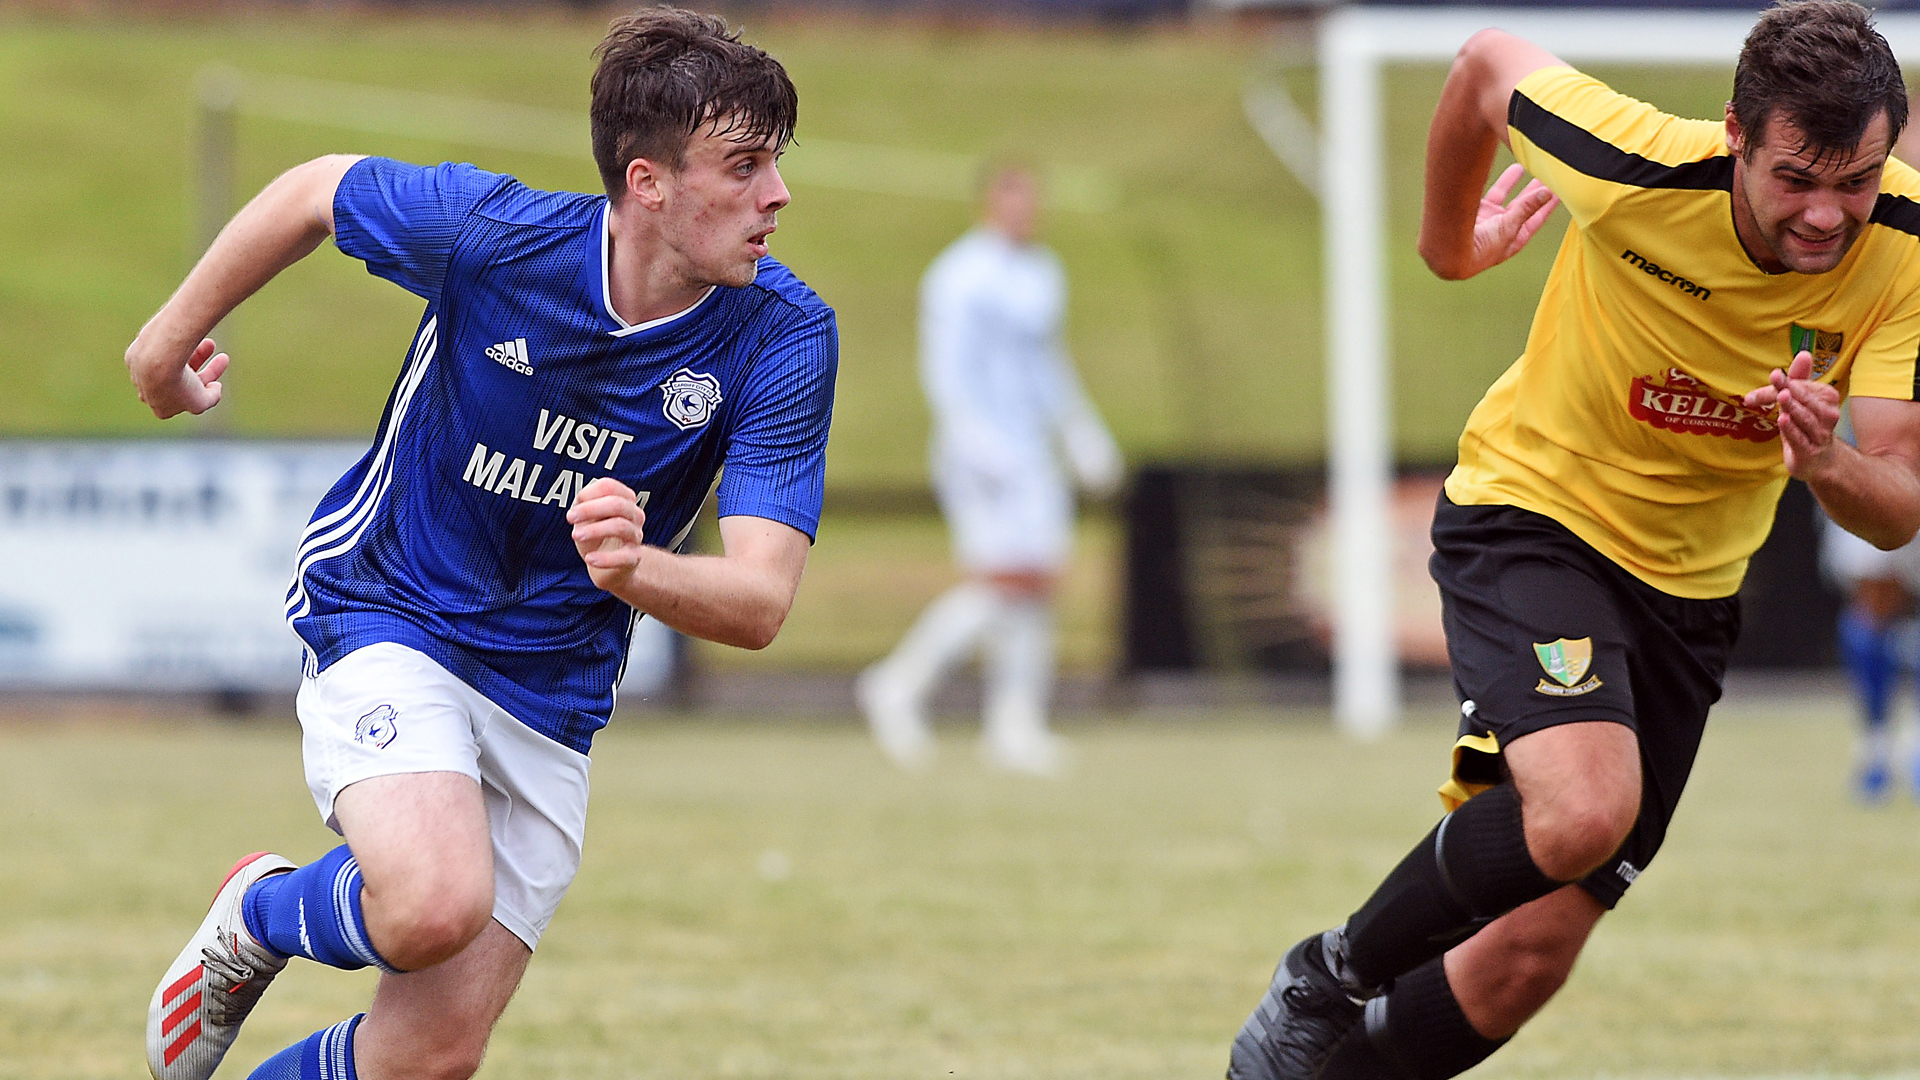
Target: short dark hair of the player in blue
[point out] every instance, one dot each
(665, 72)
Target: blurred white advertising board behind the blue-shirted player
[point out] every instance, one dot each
(164, 564)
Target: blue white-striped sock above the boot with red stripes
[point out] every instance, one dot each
(314, 914)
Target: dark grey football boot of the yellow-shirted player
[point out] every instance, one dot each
(1305, 1016)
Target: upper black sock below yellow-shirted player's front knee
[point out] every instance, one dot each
(1472, 870)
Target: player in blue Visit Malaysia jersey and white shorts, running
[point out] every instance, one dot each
(587, 372)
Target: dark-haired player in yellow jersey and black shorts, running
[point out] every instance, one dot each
(1721, 287)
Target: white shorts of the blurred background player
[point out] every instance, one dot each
(1007, 524)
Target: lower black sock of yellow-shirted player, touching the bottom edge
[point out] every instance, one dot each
(1414, 1033)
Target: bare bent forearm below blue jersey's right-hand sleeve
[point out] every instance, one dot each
(729, 601)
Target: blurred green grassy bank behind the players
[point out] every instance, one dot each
(1195, 295)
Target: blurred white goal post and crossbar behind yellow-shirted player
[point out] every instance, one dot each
(1355, 45)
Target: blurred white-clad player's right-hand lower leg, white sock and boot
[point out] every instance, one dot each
(1019, 685)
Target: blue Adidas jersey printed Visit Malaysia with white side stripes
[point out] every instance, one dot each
(521, 387)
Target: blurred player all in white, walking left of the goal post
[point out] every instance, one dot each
(1007, 410)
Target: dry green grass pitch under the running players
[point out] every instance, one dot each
(769, 900)
